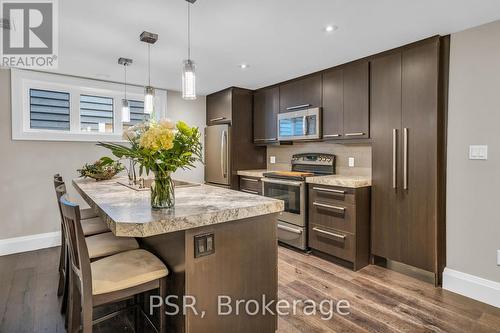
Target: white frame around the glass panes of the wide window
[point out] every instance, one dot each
(24, 80)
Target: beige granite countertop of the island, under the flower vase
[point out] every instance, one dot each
(128, 212)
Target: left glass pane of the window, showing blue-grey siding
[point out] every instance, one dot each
(49, 110)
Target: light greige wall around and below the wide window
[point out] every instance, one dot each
(27, 199)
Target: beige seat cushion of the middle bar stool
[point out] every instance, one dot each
(106, 244)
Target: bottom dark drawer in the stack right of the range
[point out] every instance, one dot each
(333, 242)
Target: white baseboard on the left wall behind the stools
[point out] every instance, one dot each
(29, 243)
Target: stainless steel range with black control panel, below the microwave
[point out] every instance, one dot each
(290, 186)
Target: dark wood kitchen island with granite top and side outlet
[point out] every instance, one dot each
(215, 242)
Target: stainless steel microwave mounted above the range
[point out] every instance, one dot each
(299, 125)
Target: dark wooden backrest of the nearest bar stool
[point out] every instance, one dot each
(78, 252)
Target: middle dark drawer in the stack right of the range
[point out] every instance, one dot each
(338, 216)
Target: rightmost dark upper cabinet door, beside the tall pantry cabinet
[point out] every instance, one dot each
(356, 100)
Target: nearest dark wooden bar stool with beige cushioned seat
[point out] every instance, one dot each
(114, 278)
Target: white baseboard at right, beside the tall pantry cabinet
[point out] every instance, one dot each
(471, 286)
